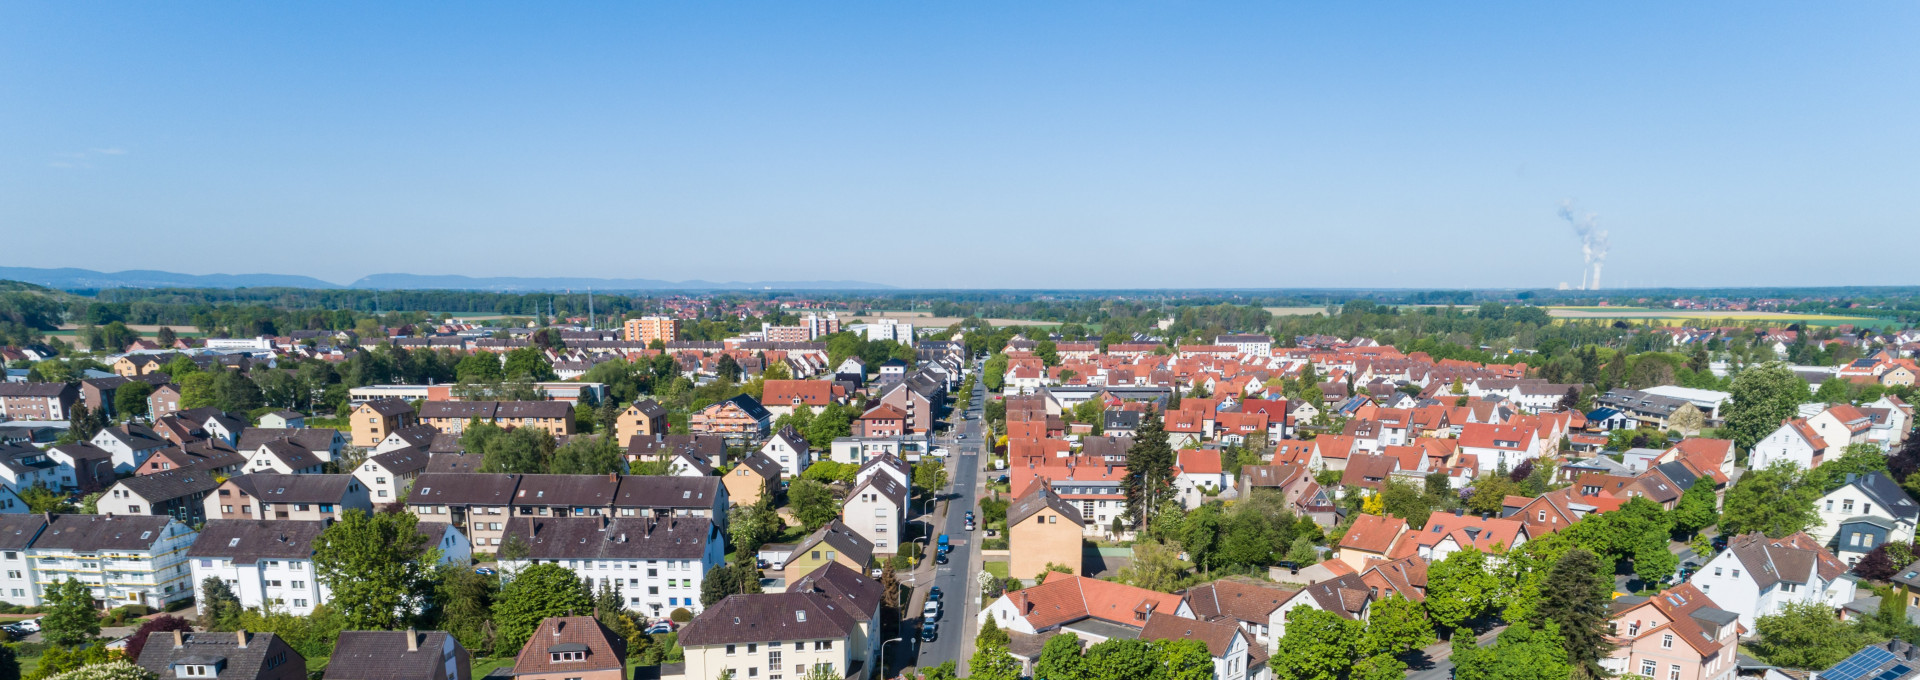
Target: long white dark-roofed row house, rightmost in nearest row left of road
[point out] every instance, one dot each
(658, 564)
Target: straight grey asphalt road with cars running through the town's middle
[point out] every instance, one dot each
(955, 579)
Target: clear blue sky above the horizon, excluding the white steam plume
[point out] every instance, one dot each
(1047, 143)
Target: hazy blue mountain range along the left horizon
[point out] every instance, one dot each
(82, 279)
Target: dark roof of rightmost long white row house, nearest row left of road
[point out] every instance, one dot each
(615, 539)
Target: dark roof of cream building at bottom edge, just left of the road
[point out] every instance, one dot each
(769, 618)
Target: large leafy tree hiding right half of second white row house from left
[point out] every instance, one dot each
(375, 568)
